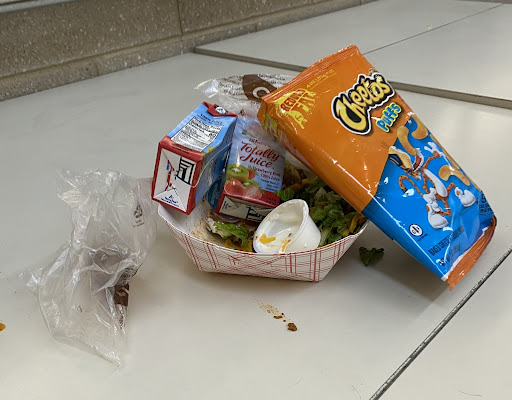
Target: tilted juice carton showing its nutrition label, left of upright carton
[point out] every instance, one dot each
(192, 157)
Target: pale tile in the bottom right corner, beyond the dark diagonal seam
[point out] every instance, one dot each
(472, 353)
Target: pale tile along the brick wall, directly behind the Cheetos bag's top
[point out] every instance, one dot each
(370, 27)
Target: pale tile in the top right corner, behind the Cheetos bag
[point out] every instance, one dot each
(471, 56)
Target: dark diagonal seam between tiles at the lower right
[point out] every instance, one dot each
(408, 361)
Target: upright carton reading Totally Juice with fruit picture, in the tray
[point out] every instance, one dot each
(254, 172)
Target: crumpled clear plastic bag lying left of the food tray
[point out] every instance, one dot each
(83, 293)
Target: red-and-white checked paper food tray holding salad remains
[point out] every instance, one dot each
(210, 256)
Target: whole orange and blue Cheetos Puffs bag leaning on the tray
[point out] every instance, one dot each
(343, 120)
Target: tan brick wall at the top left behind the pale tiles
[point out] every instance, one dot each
(48, 46)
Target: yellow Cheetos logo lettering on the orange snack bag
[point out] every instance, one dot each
(352, 108)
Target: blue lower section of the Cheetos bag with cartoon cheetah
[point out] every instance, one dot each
(436, 220)
